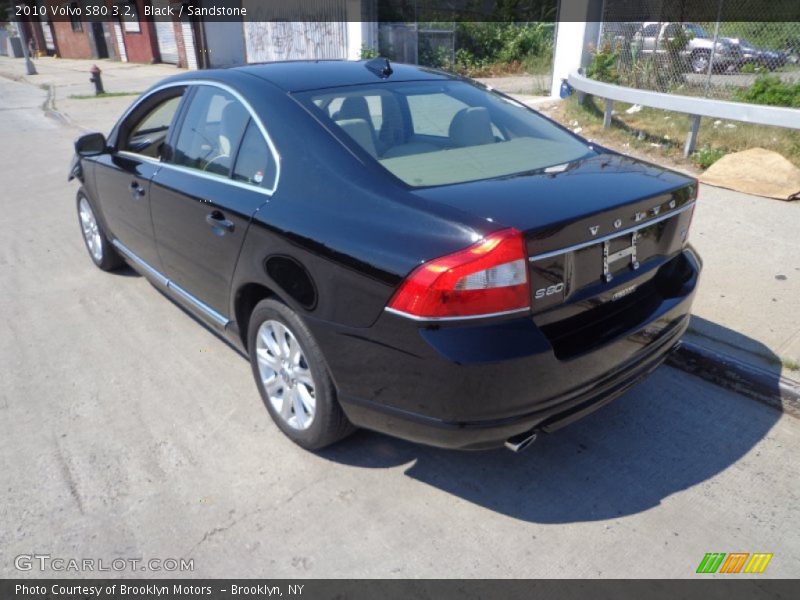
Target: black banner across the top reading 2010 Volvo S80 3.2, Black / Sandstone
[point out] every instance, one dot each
(408, 11)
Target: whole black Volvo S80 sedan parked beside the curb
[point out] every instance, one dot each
(394, 247)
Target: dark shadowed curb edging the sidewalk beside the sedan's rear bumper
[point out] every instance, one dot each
(732, 374)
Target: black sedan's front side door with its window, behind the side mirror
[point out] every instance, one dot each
(122, 177)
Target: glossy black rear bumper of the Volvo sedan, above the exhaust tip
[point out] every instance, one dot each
(474, 386)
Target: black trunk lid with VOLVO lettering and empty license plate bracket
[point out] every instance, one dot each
(598, 235)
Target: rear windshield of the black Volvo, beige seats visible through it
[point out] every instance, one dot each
(438, 133)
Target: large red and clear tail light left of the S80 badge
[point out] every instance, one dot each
(489, 277)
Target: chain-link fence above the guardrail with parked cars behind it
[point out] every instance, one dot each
(728, 60)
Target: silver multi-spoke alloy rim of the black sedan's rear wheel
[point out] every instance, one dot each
(285, 374)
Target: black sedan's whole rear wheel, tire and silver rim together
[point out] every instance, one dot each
(292, 377)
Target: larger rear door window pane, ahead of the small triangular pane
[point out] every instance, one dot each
(211, 131)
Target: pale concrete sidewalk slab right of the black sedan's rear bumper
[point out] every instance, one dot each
(748, 302)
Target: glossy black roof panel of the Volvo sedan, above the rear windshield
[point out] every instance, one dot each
(295, 76)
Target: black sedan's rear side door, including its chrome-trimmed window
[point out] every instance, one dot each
(221, 170)
